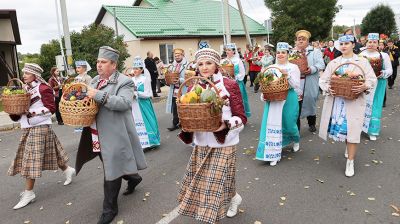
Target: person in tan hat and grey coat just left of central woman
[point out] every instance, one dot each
(179, 65)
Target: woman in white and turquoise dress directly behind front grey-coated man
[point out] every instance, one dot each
(142, 108)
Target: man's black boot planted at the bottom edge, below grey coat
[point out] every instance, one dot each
(110, 203)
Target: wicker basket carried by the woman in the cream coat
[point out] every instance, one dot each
(343, 86)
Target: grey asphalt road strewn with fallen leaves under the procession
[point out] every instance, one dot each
(364, 198)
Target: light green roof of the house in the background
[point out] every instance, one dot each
(180, 18)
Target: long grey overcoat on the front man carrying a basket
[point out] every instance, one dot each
(120, 147)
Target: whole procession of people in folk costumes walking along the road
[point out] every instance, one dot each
(126, 123)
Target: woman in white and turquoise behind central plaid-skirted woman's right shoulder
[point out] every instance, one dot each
(233, 56)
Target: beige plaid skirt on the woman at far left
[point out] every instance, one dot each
(39, 149)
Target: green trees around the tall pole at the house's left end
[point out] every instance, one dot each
(85, 46)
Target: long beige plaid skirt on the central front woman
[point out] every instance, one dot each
(209, 183)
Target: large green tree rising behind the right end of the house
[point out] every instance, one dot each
(288, 16)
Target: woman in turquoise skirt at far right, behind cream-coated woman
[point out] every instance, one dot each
(383, 70)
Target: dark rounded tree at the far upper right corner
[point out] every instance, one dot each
(380, 19)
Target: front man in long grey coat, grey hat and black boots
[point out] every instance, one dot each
(112, 136)
